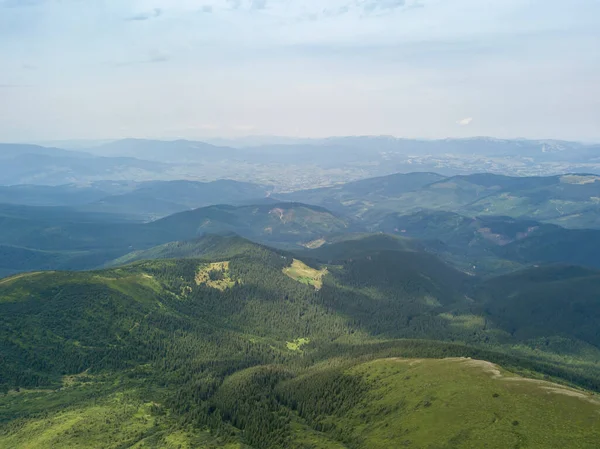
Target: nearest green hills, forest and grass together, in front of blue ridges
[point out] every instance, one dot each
(232, 350)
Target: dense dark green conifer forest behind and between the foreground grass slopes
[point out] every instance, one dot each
(221, 355)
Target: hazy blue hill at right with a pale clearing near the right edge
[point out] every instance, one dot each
(568, 200)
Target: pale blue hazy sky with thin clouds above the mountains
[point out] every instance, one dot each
(91, 69)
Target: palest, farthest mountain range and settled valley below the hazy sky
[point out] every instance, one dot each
(291, 164)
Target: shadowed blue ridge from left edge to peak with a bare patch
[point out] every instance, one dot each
(55, 238)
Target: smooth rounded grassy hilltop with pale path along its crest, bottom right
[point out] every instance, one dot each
(462, 403)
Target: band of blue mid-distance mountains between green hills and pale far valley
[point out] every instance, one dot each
(483, 223)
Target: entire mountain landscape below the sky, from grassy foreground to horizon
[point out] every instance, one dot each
(315, 299)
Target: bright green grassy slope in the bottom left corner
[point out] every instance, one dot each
(103, 417)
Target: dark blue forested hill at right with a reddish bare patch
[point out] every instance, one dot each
(488, 244)
